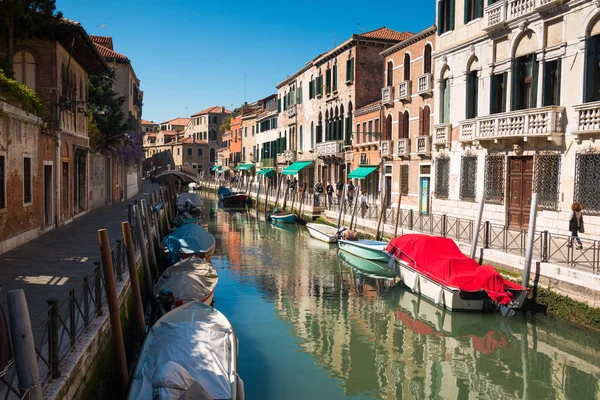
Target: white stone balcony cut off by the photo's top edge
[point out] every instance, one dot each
(497, 15)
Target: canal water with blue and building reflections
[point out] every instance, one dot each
(315, 324)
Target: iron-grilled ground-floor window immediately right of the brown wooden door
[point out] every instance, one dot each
(547, 179)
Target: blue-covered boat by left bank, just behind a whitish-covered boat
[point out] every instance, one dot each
(189, 240)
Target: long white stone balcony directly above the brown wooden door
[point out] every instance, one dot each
(545, 122)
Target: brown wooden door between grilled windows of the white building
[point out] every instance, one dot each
(520, 178)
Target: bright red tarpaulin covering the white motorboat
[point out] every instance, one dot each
(441, 260)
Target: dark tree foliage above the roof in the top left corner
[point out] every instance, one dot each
(21, 19)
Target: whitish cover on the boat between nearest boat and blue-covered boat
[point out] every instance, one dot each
(189, 279)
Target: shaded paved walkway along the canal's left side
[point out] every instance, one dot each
(58, 260)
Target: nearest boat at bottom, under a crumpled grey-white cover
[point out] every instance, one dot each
(191, 350)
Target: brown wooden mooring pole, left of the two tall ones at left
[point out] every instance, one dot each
(113, 310)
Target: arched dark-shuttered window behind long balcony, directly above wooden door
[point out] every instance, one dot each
(524, 88)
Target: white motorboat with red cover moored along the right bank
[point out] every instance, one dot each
(437, 269)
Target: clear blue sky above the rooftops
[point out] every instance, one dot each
(192, 54)
